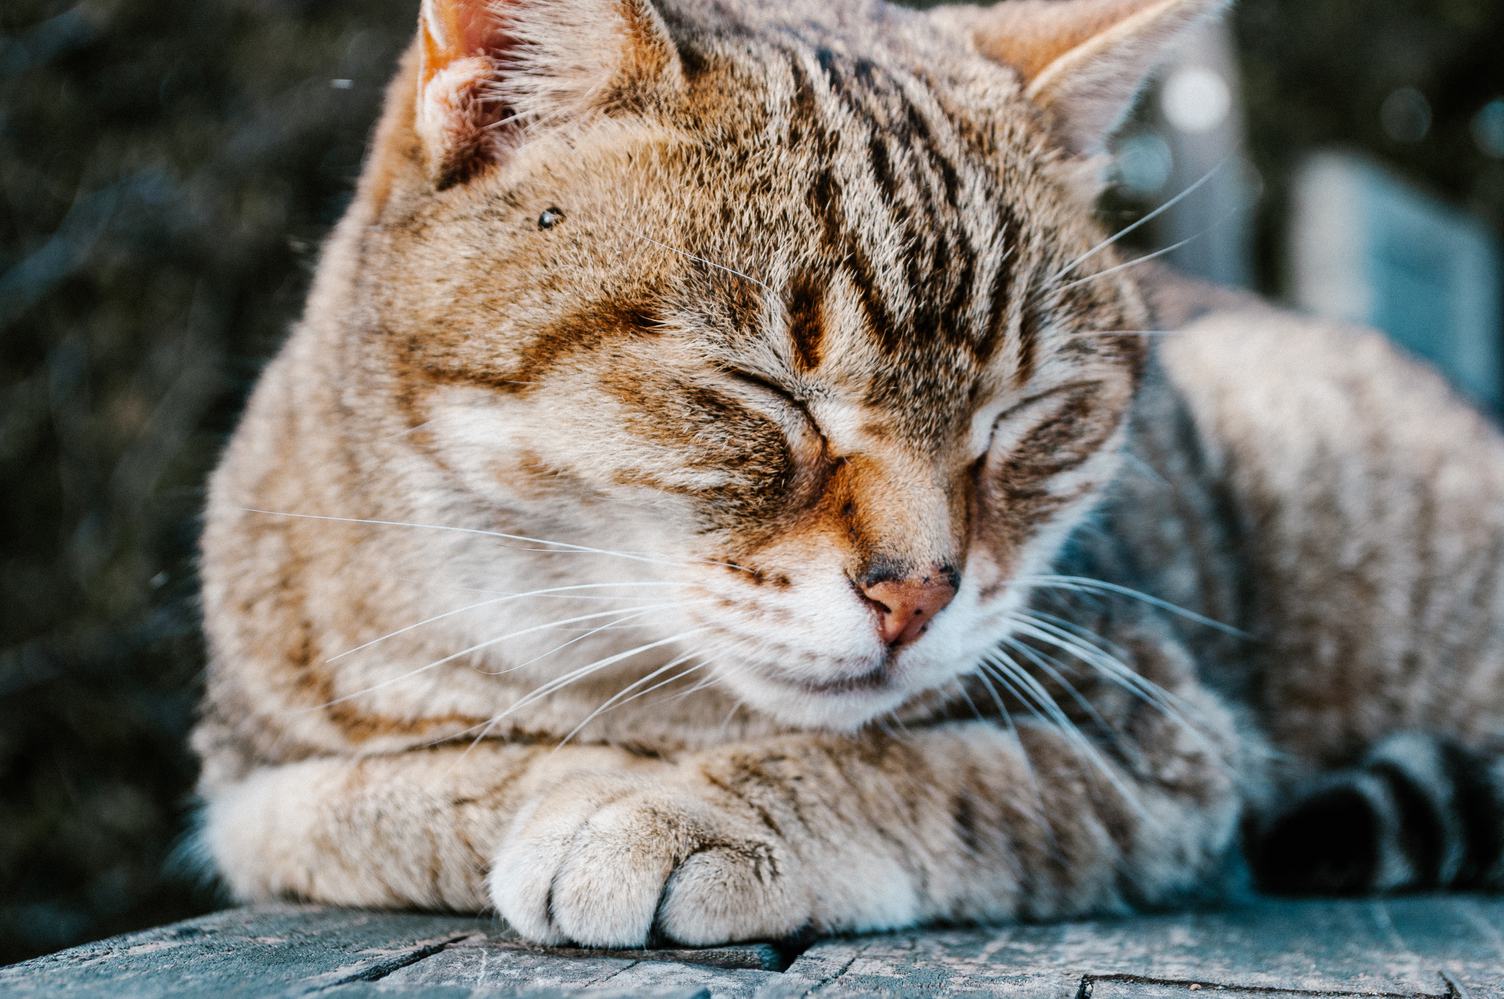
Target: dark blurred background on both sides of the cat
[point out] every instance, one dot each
(168, 169)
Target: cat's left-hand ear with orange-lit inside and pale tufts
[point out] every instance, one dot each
(493, 70)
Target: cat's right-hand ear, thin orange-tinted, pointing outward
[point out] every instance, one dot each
(1084, 61)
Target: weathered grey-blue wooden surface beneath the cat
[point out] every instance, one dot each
(1446, 947)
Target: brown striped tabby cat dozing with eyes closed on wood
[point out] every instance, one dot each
(724, 488)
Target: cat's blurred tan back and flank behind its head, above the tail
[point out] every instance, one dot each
(1341, 503)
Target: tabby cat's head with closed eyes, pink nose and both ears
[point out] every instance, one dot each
(808, 308)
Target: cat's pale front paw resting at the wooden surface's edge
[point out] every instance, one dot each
(616, 861)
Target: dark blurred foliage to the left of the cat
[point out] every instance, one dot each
(168, 169)
